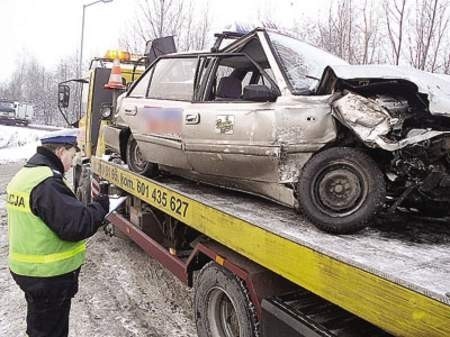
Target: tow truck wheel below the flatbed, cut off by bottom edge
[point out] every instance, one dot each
(222, 305)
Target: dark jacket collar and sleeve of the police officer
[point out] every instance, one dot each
(55, 203)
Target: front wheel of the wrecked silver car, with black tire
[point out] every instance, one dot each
(341, 189)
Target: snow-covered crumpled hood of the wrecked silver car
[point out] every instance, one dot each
(436, 87)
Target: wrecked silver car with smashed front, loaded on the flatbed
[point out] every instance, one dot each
(273, 116)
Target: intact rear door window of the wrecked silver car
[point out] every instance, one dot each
(173, 78)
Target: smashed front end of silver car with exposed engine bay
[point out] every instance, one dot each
(406, 130)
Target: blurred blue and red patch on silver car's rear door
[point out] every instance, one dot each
(164, 121)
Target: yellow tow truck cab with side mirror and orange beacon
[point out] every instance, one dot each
(91, 107)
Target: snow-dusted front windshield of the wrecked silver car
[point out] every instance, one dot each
(301, 62)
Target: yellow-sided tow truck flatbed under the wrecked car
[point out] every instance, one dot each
(393, 279)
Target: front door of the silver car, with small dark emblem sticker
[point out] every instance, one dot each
(233, 137)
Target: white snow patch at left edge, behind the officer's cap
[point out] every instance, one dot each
(18, 143)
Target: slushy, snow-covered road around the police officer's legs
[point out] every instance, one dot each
(123, 292)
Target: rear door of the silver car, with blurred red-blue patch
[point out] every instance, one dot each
(156, 120)
